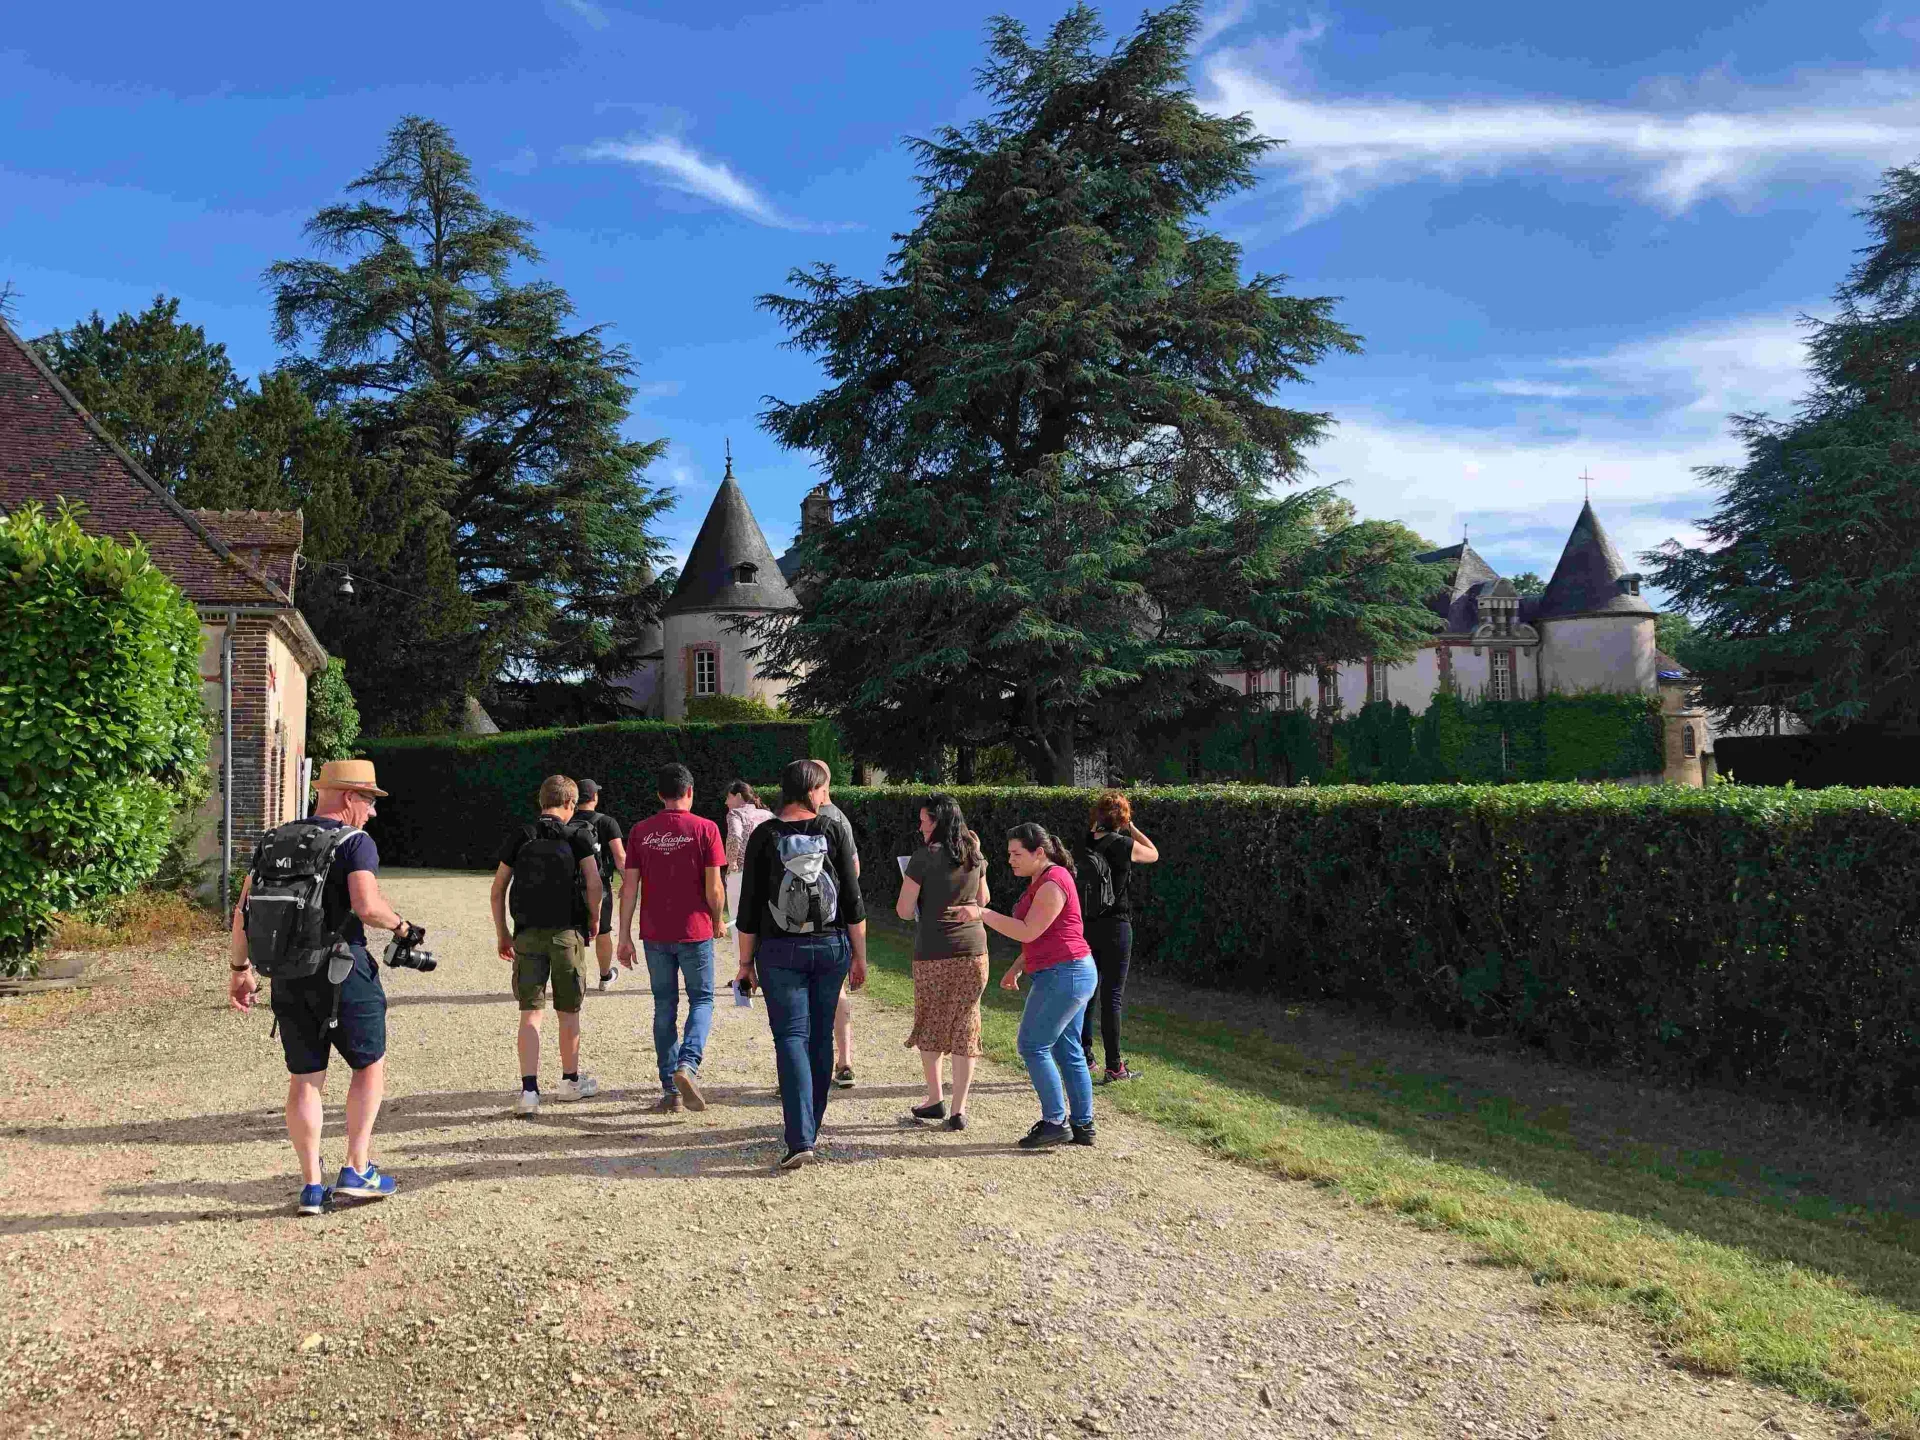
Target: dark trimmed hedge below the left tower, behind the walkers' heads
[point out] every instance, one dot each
(452, 798)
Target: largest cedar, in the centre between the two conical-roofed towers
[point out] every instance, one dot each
(1049, 435)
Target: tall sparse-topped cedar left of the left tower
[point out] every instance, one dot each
(471, 389)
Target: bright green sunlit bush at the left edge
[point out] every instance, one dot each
(101, 721)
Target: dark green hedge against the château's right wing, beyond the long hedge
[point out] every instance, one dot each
(1472, 740)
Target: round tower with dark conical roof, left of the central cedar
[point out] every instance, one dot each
(731, 573)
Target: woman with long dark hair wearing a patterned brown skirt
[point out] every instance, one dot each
(949, 953)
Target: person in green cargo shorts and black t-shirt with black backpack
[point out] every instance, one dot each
(550, 876)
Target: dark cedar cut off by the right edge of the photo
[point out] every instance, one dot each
(1808, 592)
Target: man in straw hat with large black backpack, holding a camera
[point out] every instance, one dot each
(304, 1007)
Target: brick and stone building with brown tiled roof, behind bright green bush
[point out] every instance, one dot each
(237, 567)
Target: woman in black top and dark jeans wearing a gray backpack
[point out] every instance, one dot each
(802, 932)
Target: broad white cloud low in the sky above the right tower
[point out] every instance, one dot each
(1639, 420)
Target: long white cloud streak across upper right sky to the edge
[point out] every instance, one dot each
(1825, 126)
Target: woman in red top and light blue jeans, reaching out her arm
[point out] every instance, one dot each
(1053, 953)
